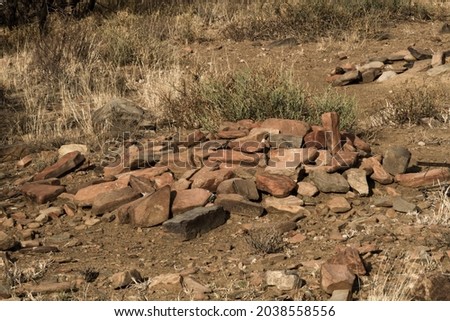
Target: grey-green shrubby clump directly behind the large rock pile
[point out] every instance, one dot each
(253, 94)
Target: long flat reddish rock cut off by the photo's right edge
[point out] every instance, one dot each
(432, 177)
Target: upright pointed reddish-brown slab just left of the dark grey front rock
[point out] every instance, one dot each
(152, 210)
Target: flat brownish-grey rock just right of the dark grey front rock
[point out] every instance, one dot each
(238, 204)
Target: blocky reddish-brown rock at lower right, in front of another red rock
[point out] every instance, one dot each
(336, 277)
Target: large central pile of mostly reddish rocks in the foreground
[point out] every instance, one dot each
(191, 184)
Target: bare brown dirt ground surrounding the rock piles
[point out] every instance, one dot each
(402, 245)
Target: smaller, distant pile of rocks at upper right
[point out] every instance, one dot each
(386, 67)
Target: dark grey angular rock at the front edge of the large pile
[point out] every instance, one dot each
(197, 221)
